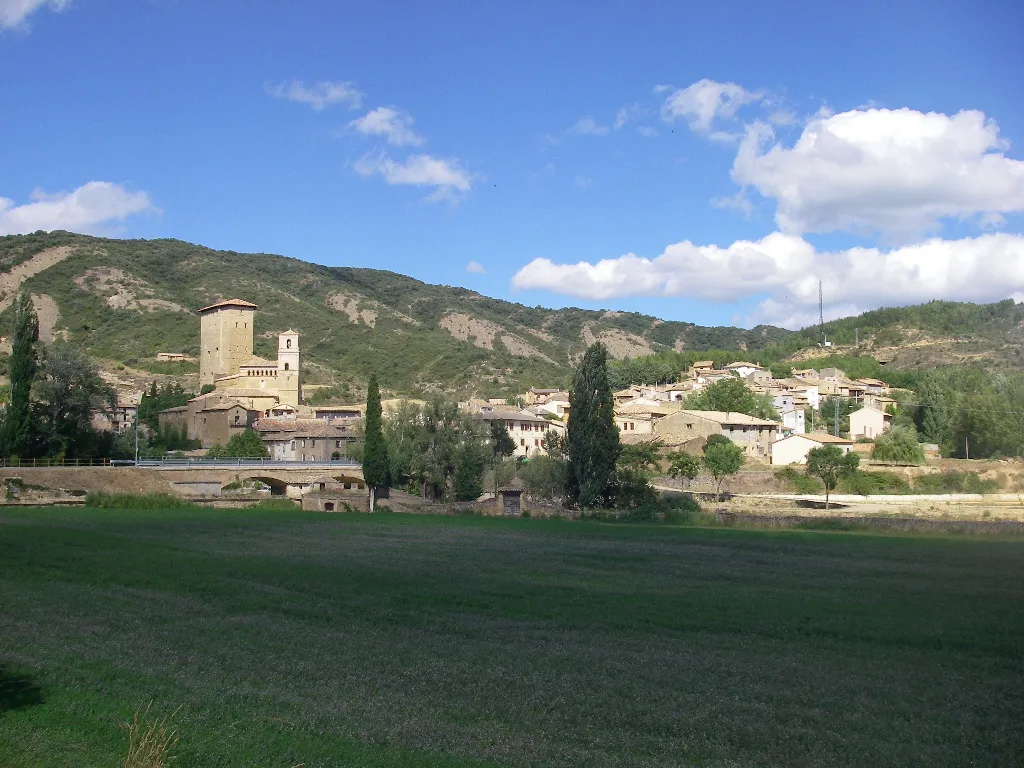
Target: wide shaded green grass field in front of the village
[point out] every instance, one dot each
(349, 641)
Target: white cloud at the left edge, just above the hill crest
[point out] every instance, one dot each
(93, 205)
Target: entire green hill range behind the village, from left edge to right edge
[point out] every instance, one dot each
(124, 301)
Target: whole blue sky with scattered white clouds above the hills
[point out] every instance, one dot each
(701, 164)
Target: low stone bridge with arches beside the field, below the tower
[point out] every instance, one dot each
(289, 480)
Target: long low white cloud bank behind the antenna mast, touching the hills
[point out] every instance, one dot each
(787, 270)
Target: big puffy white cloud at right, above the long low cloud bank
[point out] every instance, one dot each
(894, 172)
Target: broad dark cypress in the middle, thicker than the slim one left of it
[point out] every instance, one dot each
(593, 438)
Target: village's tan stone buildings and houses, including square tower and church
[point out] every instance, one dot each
(242, 392)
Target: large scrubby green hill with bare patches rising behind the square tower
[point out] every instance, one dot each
(124, 301)
